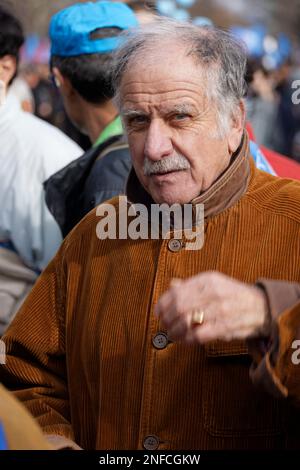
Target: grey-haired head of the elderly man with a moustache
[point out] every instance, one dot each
(180, 91)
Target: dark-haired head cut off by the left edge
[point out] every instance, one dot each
(11, 40)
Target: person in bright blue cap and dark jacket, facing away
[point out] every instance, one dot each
(83, 39)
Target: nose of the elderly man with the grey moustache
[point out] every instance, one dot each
(158, 141)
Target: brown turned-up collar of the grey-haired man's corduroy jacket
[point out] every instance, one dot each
(223, 193)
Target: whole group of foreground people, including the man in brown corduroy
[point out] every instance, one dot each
(119, 342)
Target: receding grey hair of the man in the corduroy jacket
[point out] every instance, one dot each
(222, 60)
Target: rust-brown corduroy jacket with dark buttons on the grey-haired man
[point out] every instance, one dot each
(87, 356)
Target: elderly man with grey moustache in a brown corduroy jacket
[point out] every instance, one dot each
(105, 351)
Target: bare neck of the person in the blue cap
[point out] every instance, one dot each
(97, 117)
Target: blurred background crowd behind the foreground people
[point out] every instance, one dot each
(270, 30)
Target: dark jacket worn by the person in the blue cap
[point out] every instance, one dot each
(99, 174)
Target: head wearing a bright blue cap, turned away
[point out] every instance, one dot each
(83, 39)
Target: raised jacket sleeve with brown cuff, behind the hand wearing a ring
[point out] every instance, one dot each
(276, 361)
